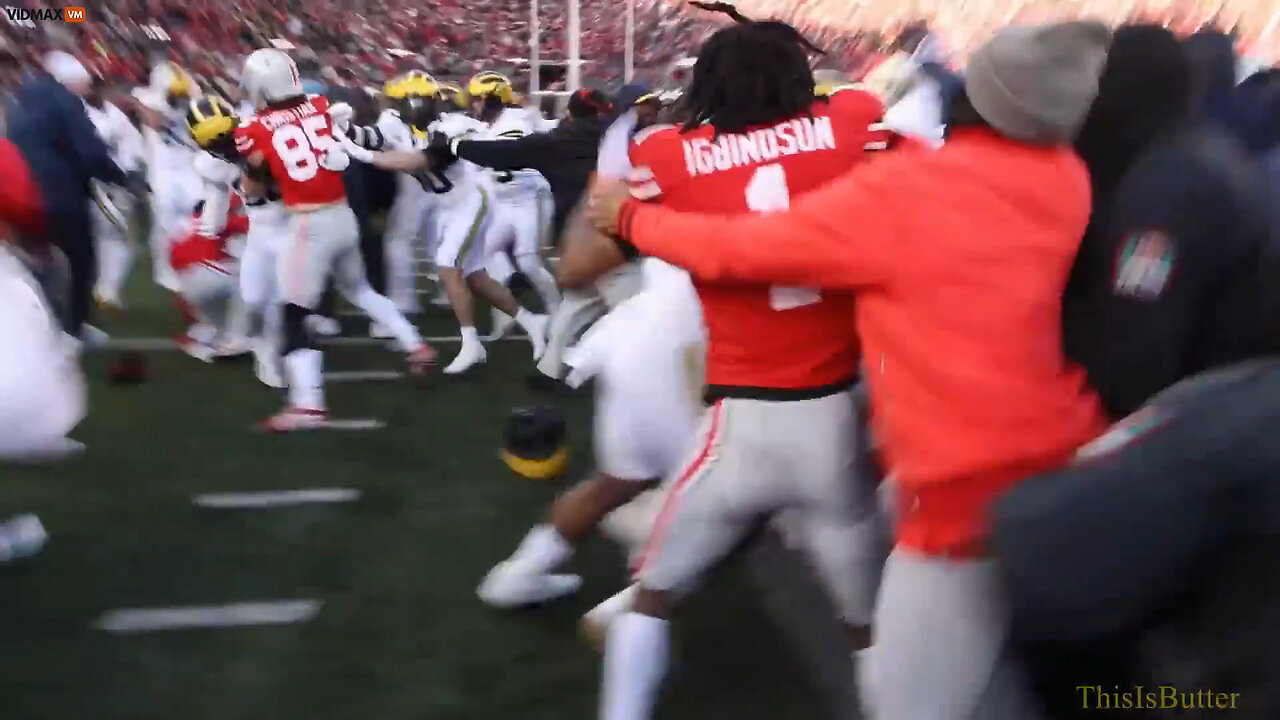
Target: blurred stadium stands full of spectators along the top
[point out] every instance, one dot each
(456, 39)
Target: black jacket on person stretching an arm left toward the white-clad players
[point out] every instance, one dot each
(565, 157)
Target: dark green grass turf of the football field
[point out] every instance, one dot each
(401, 635)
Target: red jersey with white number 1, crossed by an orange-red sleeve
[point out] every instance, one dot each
(760, 336)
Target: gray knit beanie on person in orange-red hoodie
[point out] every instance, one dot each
(1036, 84)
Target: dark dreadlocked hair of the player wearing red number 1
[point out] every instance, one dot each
(748, 75)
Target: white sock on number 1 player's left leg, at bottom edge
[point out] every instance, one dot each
(636, 662)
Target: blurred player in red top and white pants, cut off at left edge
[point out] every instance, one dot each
(43, 393)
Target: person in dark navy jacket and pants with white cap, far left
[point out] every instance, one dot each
(53, 131)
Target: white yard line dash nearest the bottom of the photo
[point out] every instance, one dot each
(271, 613)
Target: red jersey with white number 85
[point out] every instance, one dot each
(294, 142)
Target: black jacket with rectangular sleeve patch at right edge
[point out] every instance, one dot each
(1172, 275)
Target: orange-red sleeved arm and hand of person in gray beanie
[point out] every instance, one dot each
(812, 245)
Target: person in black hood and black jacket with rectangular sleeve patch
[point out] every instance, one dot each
(1171, 276)
